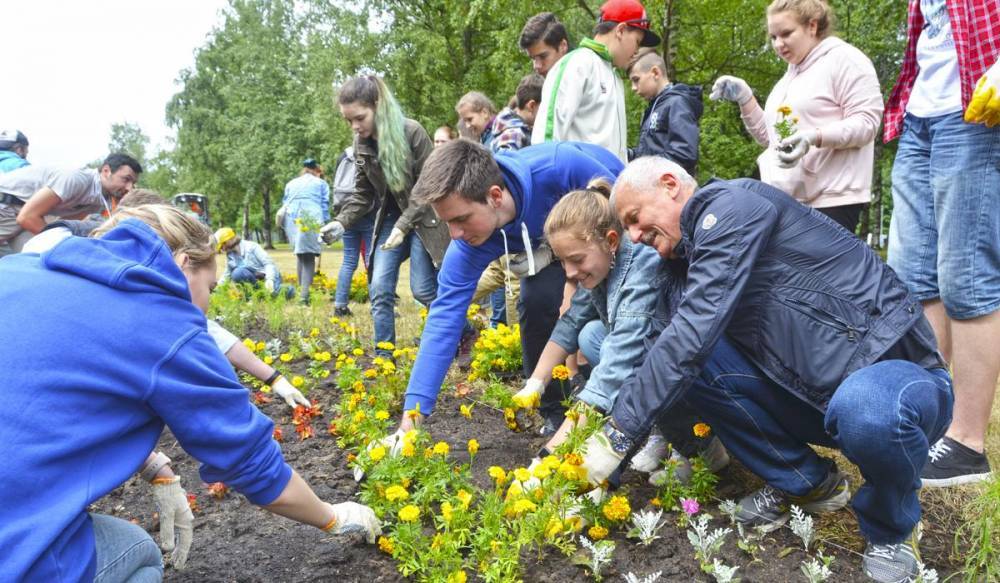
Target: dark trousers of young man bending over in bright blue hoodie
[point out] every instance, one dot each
(538, 308)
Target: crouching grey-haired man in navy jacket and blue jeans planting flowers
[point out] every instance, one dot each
(790, 332)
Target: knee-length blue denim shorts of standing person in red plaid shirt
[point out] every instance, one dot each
(944, 239)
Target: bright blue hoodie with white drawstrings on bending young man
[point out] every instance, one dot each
(536, 177)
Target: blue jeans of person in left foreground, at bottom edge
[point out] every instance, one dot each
(125, 552)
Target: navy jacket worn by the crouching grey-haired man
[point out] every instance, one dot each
(802, 298)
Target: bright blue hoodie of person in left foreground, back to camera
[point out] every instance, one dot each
(102, 348)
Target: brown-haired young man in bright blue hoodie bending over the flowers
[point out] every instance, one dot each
(496, 206)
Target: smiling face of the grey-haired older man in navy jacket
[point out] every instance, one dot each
(652, 217)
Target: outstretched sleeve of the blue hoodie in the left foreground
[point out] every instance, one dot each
(197, 395)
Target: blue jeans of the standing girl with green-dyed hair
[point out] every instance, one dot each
(385, 276)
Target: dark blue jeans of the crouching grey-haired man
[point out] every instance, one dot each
(883, 418)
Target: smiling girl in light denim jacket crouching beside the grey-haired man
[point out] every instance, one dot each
(626, 296)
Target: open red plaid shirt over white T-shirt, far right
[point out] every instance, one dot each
(975, 26)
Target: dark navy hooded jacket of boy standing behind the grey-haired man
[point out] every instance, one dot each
(670, 126)
